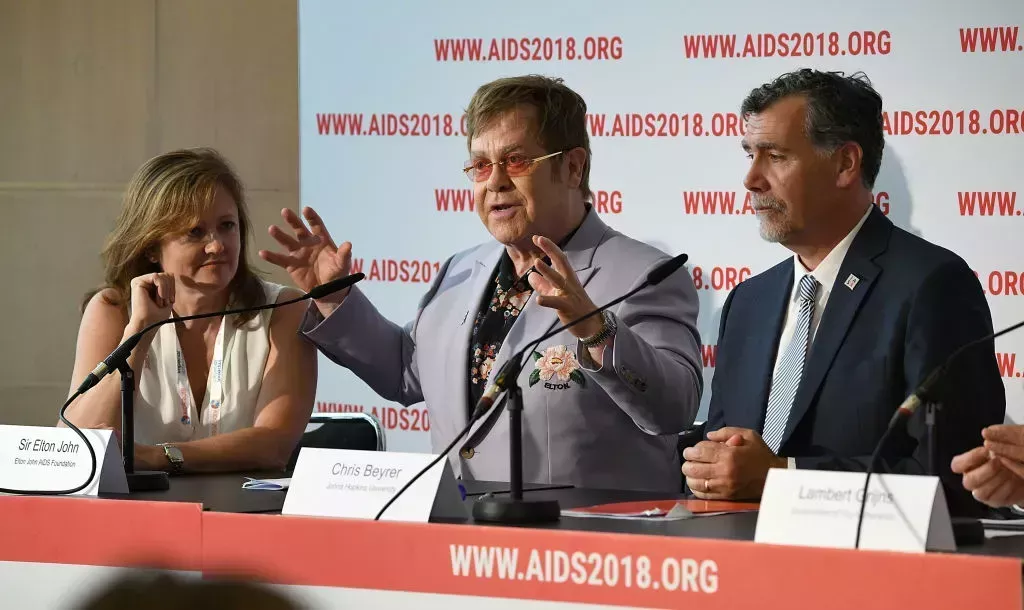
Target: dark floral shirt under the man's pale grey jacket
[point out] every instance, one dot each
(499, 311)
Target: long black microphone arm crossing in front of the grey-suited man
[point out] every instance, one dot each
(511, 370)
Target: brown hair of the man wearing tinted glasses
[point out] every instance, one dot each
(562, 114)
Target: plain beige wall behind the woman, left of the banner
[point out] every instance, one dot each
(90, 90)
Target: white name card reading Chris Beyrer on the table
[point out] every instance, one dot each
(357, 485)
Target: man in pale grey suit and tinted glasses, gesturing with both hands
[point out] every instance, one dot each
(604, 402)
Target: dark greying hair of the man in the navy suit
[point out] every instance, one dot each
(840, 109)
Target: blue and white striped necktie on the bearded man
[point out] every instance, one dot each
(791, 370)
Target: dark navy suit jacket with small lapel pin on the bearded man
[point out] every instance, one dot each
(914, 306)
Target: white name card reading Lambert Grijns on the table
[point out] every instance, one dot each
(814, 508)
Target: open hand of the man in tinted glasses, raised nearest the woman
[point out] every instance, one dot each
(311, 256)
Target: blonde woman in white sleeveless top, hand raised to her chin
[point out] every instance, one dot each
(215, 395)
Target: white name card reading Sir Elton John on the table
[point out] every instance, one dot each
(40, 459)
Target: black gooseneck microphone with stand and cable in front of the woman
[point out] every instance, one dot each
(118, 361)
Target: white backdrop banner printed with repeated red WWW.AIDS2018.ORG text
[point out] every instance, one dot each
(385, 85)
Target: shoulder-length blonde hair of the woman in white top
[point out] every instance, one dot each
(168, 196)
